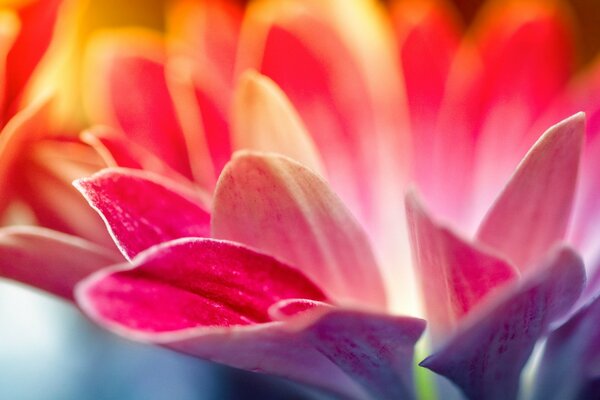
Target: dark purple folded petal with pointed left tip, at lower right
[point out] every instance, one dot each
(486, 356)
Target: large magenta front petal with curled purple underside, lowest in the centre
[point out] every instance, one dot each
(199, 295)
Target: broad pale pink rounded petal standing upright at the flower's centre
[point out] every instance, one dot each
(278, 206)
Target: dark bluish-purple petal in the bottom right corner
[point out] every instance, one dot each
(570, 365)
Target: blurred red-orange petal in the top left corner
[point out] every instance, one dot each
(37, 23)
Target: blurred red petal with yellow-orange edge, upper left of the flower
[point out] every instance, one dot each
(126, 88)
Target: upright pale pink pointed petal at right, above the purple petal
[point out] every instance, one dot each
(525, 222)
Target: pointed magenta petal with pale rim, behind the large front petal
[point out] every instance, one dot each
(142, 209)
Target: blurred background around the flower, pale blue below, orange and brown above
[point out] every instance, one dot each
(49, 351)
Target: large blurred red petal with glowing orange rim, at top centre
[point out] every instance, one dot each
(322, 77)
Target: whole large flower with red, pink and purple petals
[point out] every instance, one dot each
(231, 257)
